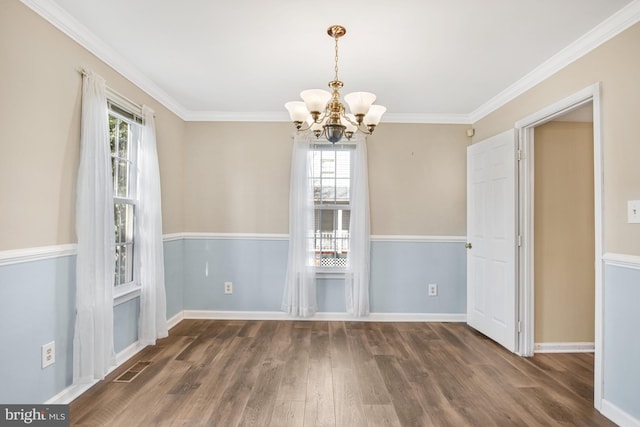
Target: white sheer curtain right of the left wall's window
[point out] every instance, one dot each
(149, 259)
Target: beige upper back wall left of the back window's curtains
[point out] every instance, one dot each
(237, 177)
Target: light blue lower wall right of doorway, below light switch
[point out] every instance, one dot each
(622, 338)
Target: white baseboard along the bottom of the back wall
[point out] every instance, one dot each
(325, 316)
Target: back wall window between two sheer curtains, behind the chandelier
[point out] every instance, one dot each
(331, 176)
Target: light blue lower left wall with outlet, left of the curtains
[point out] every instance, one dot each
(37, 306)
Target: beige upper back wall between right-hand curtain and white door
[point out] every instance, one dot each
(417, 179)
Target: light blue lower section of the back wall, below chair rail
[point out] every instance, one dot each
(400, 272)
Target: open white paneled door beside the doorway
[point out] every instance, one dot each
(491, 238)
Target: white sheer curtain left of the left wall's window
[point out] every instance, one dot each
(93, 353)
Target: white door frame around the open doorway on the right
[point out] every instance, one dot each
(525, 132)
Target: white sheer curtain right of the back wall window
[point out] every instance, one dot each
(357, 276)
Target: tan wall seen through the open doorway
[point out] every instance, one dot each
(564, 272)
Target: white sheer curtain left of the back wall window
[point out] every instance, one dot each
(299, 297)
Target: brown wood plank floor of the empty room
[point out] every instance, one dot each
(295, 373)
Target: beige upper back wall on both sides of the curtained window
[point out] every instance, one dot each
(237, 178)
